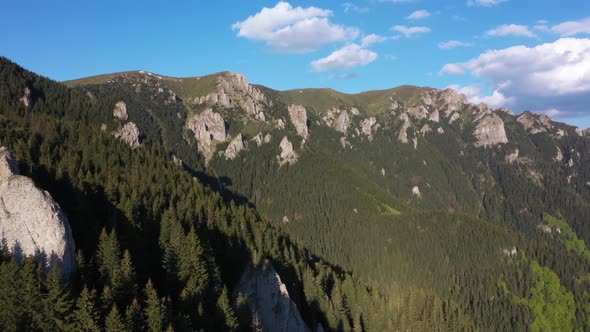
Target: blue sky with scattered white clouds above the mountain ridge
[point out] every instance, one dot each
(521, 54)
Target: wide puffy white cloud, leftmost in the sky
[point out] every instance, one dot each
(285, 28)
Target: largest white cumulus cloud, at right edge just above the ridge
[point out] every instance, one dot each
(550, 75)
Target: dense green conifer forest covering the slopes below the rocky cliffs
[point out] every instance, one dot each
(161, 247)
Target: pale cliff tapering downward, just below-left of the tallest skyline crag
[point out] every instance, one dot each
(208, 128)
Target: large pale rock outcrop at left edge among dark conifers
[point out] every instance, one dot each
(32, 224)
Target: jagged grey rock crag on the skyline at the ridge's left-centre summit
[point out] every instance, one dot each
(233, 90)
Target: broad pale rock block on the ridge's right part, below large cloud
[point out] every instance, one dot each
(489, 127)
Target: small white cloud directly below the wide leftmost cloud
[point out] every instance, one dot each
(347, 57)
